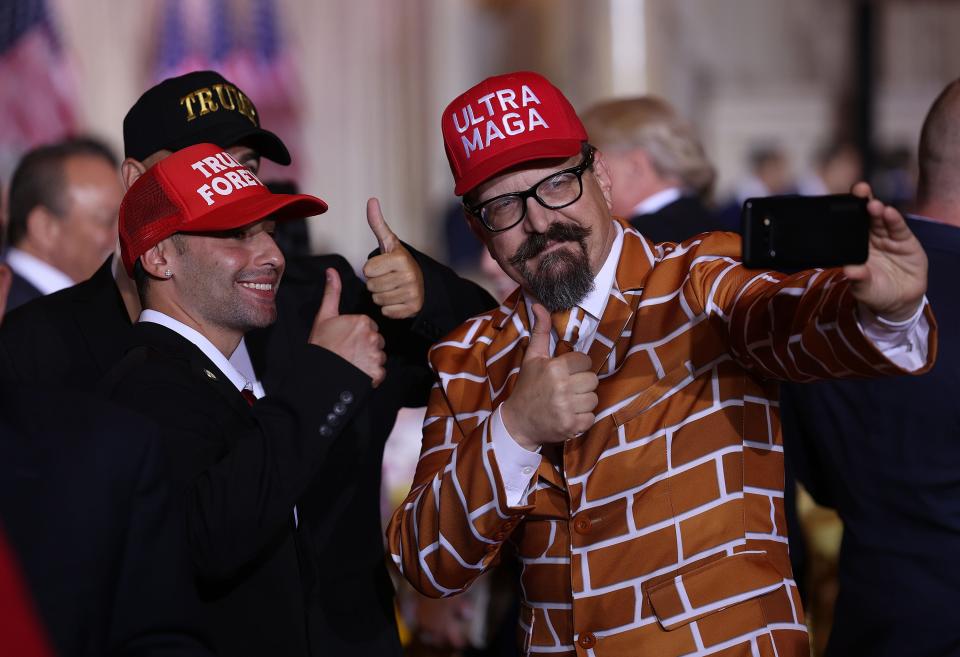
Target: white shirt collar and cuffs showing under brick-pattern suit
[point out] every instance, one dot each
(904, 343)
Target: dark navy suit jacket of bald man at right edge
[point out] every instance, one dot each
(886, 454)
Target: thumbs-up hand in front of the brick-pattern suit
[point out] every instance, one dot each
(554, 398)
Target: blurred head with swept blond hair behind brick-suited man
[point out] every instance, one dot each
(650, 126)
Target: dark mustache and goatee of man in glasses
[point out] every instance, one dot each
(562, 279)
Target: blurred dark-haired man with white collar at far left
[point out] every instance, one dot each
(62, 223)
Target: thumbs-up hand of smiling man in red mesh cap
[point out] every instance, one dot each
(354, 338)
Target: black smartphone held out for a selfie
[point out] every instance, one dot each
(801, 232)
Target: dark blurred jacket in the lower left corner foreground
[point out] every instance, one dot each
(86, 508)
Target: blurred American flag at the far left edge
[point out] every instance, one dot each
(37, 94)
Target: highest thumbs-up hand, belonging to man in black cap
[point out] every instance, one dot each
(393, 277)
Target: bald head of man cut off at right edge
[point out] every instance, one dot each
(938, 190)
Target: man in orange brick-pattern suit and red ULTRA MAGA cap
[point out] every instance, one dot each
(631, 454)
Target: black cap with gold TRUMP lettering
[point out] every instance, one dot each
(197, 107)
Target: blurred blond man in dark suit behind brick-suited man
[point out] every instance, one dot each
(659, 171)
